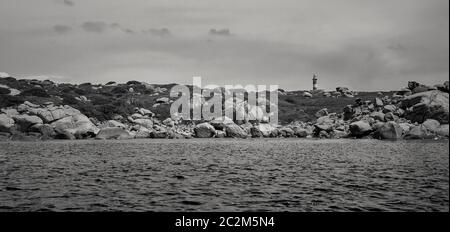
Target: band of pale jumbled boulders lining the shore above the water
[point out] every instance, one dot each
(416, 112)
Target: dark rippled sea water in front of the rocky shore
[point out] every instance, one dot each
(225, 175)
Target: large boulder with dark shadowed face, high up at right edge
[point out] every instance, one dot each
(427, 105)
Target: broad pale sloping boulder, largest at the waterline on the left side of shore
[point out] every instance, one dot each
(78, 125)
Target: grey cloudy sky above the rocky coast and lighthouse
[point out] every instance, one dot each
(362, 44)
